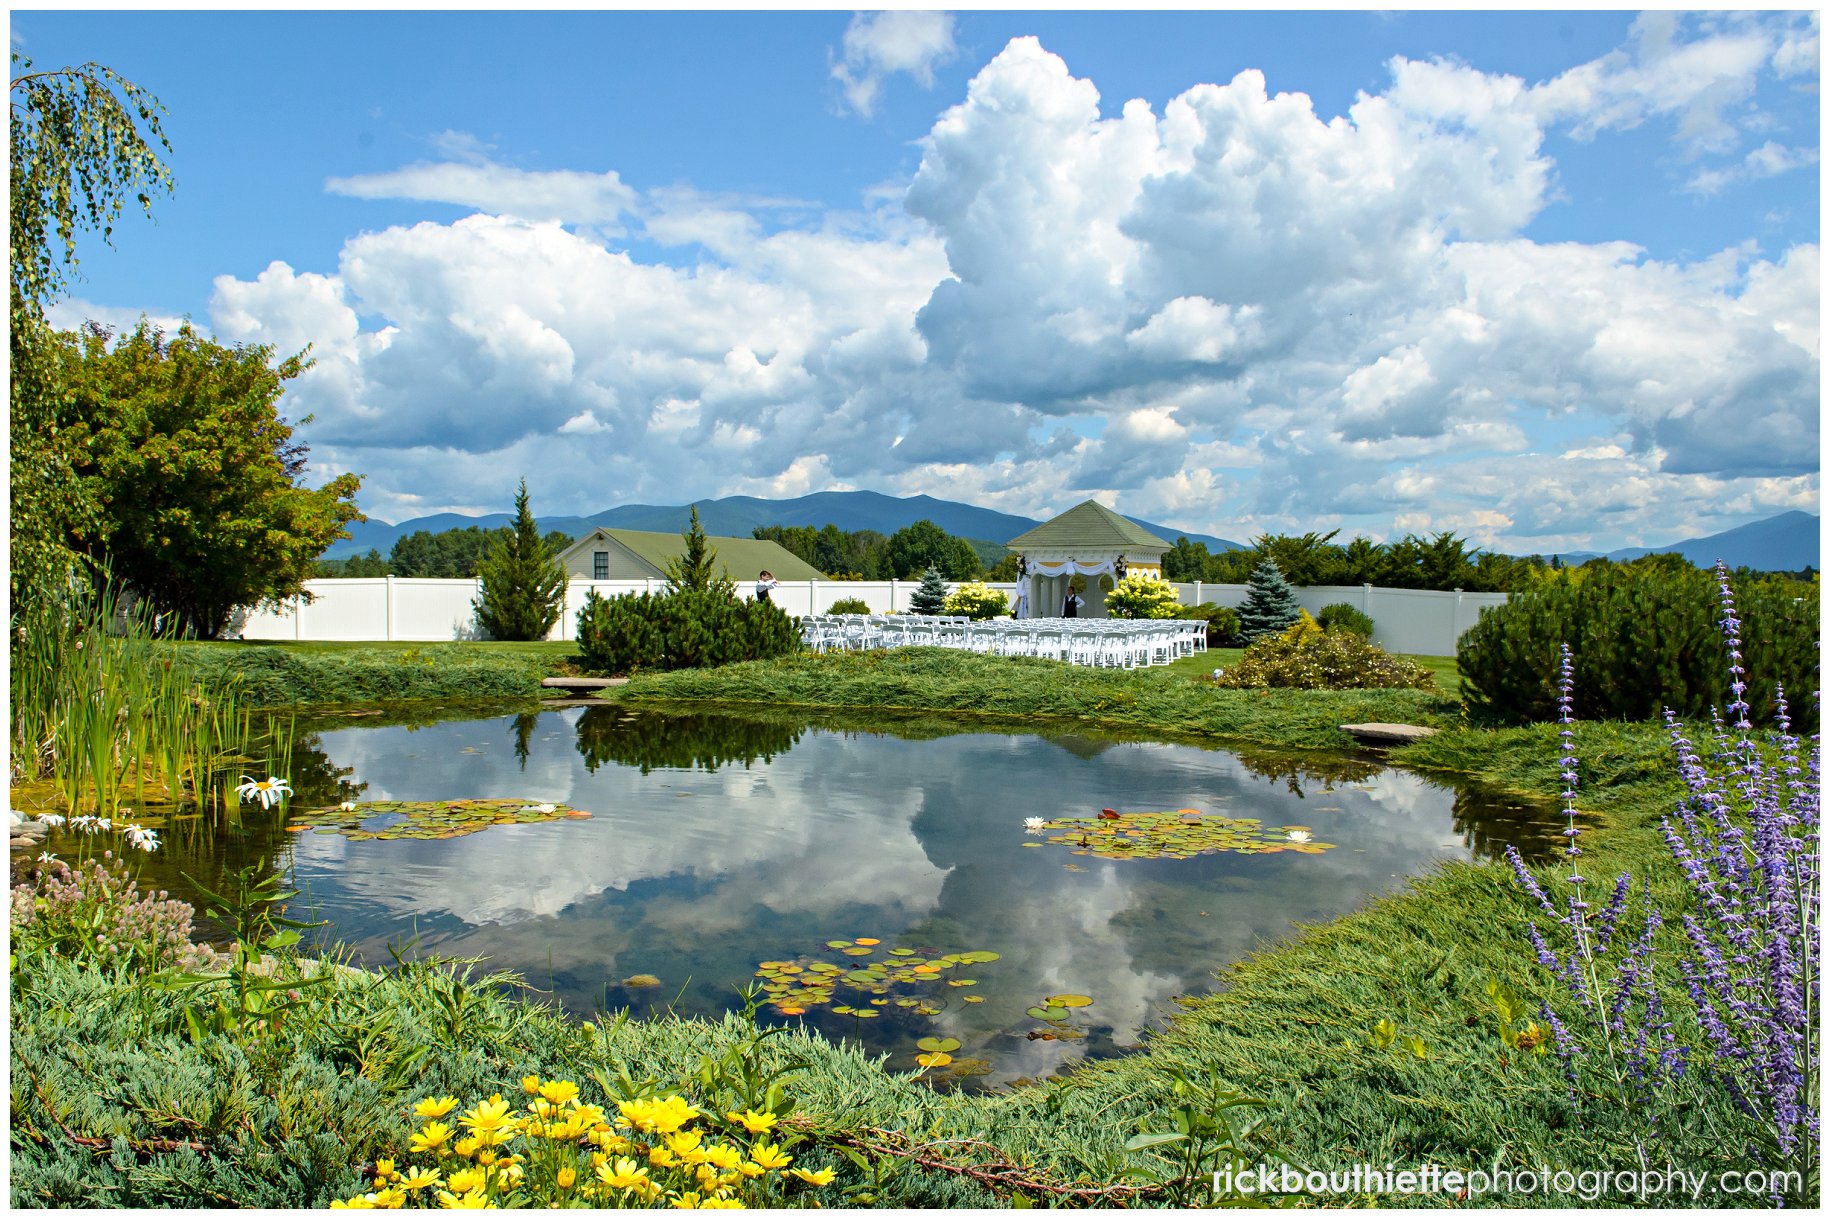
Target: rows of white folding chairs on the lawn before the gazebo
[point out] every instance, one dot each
(1099, 643)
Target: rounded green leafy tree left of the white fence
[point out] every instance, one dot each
(199, 477)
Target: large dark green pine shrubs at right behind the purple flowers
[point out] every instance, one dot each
(1642, 642)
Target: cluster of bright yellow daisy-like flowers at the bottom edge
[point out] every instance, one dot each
(563, 1152)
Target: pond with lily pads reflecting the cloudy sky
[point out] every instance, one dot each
(850, 865)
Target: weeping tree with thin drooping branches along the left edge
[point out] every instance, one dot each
(81, 146)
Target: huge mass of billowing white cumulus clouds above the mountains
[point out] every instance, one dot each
(1234, 316)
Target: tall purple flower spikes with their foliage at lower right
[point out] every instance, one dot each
(1730, 1061)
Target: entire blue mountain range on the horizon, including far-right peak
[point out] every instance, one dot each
(1785, 543)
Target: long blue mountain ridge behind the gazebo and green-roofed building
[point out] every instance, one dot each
(735, 517)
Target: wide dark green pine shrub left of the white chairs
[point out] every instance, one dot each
(680, 629)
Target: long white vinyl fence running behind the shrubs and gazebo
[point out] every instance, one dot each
(440, 610)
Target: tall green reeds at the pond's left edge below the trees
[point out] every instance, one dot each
(105, 711)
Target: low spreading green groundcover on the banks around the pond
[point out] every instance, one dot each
(1370, 1041)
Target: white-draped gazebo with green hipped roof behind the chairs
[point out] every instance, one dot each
(1088, 541)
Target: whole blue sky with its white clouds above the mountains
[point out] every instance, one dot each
(1545, 279)
